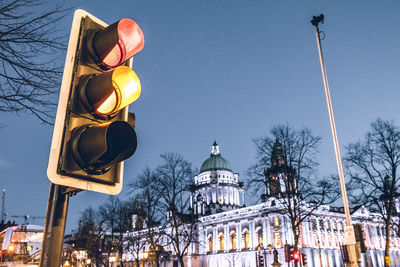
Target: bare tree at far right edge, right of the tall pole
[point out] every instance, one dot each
(372, 165)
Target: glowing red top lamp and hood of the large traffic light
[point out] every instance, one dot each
(115, 44)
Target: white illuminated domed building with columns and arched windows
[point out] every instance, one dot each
(231, 234)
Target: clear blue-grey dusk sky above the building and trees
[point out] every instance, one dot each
(228, 71)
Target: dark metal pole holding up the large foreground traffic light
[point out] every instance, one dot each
(53, 234)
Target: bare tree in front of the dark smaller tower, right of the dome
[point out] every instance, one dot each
(286, 163)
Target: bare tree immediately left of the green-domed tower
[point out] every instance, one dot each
(173, 178)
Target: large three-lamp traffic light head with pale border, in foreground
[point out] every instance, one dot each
(93, 132)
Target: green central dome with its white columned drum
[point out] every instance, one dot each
(216, 188)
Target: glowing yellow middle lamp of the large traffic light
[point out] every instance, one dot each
(127, 89)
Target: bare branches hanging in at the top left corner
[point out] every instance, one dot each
(29, 73)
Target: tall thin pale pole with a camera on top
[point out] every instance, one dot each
(349, 230)
